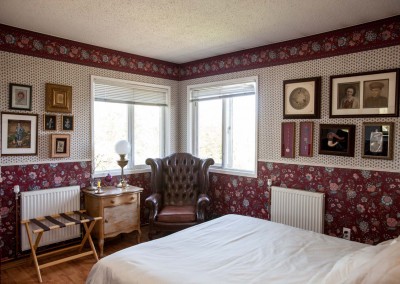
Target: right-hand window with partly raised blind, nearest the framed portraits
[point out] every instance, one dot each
(223, 124)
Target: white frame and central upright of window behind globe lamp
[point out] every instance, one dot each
(165, 127)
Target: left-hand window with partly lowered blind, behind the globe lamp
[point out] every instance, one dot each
(125, 110)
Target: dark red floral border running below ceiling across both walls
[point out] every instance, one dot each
(367, 36)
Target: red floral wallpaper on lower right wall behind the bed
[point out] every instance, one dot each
(368, 202)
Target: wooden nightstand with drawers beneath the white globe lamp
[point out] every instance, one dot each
(120, 209)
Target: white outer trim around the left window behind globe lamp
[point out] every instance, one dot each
(166, 127)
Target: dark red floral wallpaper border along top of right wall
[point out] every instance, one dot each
(354, 39)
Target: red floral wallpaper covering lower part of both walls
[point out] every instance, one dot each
(368, 202)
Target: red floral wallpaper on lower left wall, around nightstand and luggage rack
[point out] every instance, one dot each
(44, 176)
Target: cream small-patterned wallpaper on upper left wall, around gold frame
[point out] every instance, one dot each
(36, 72)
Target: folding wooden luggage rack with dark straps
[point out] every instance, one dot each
(84, 219)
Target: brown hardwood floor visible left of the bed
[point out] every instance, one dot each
(75, 271)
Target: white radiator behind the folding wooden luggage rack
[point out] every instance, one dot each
(48, 202)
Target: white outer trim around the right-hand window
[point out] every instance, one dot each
(190, 121)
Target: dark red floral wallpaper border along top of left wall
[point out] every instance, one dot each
(45, 46)
